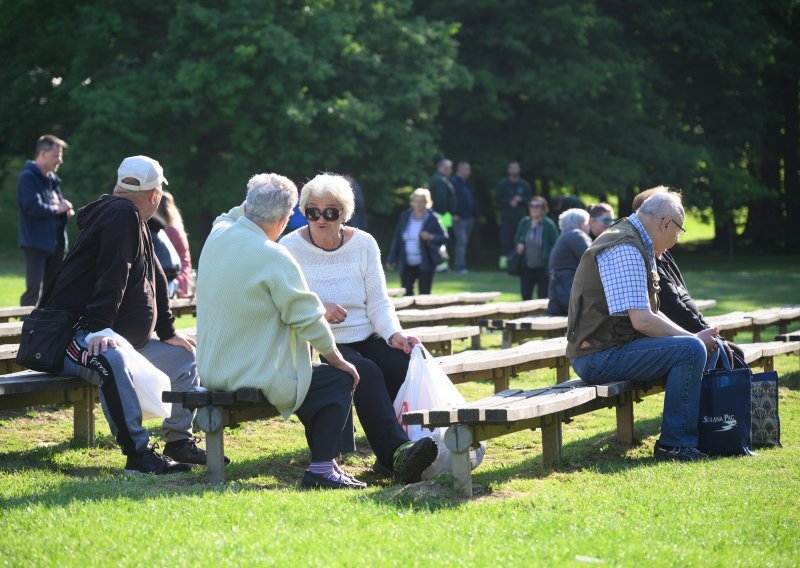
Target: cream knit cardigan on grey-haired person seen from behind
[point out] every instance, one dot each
(256, 315)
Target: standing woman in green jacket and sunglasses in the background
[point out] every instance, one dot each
(536, 236)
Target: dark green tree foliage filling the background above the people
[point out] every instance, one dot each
(599, 98)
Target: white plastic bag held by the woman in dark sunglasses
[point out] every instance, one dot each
(427, 386)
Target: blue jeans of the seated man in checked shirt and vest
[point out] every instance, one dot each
(681, 359)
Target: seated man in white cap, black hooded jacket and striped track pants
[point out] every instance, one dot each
(112, 281)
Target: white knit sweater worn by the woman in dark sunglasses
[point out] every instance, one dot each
(352, 277)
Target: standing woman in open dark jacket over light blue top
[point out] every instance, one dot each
(417, 241)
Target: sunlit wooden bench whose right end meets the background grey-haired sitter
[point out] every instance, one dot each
(470, 314)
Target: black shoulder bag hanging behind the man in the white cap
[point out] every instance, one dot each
(44, 339)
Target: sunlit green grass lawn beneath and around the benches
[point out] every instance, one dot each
(605, 503)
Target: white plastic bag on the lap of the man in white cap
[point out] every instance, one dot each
(148, 380)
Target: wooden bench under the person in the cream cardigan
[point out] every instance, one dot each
(217, 410)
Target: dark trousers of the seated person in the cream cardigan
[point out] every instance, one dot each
(326, 413)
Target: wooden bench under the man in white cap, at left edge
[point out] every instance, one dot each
(29, 388)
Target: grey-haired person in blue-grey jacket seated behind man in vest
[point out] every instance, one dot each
(564, 258)
